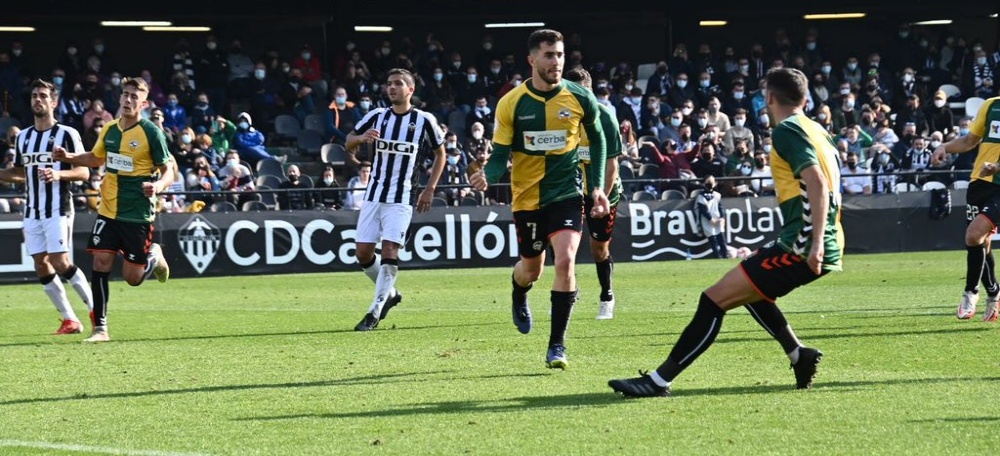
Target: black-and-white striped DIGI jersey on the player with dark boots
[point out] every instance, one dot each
(397, 151)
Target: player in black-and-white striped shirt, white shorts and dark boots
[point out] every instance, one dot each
(396, 134)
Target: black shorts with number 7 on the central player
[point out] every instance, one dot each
(534, 228)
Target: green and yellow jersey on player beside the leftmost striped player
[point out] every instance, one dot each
(131, 156)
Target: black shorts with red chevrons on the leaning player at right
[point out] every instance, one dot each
(773, 272)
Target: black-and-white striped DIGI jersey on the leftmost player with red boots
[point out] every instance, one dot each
(33, 151)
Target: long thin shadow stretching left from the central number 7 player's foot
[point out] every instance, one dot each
(409, 377)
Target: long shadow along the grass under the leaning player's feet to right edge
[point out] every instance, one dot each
(570, 401)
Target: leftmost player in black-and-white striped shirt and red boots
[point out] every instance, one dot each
(48, 213)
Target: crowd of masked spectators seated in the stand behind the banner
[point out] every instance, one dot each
(696, 113)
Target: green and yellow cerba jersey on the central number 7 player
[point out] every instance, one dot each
(540, 133)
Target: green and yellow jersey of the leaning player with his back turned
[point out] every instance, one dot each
(799, 143)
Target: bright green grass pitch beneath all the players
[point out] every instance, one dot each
(271, 365)
